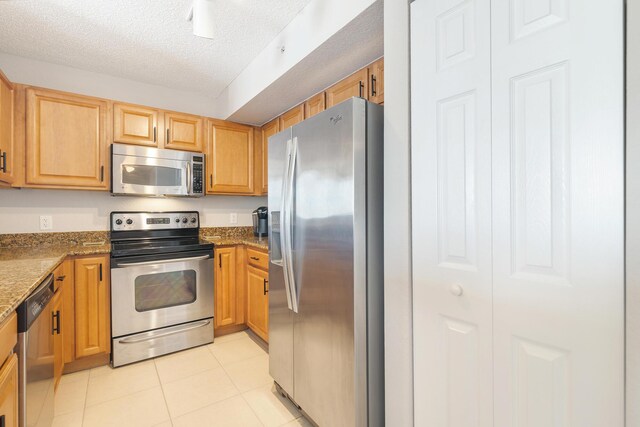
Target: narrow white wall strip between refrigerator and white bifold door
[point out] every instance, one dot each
(397, 217)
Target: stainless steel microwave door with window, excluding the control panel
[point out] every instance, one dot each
(150, 176)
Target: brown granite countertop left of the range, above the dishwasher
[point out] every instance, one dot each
(22, 269)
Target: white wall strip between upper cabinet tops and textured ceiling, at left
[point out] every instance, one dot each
(53, 76)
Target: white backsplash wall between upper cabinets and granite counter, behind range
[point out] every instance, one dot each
(20, 210)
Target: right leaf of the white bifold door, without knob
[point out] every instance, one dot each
(558, 206)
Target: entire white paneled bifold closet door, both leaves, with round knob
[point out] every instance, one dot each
(517, 182)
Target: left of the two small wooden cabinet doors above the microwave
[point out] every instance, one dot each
(135, 125)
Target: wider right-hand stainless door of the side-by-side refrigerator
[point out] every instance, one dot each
(323, 263)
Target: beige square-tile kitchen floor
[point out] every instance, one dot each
(226, 383)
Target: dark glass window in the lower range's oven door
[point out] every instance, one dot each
(163, 290)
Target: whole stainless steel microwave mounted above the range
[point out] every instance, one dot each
(143, 171)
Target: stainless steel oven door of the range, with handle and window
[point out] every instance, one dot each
(150, 292)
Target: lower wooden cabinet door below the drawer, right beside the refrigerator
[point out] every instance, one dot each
(258, 301)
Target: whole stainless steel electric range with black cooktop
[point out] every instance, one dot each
(161, 285)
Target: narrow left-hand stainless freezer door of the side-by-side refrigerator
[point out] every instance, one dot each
(280, 317)
